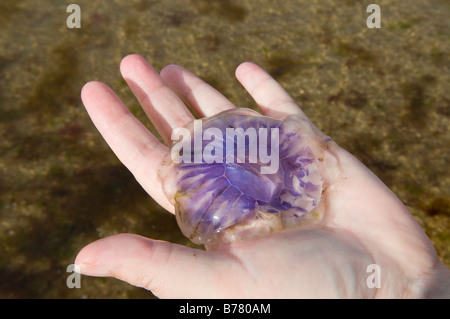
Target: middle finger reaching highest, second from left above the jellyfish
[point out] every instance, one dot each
(163, 107)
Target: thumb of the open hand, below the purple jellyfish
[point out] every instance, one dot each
(168, 270)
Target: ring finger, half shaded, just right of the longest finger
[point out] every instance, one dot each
(203, 98)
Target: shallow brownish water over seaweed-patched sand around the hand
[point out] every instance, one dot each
(380, 93)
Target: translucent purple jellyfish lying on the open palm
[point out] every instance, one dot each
(240, 175)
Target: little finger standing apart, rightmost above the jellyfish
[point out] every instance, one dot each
(273, 100)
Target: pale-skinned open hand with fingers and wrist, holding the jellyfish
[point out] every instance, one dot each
(364, 222)
